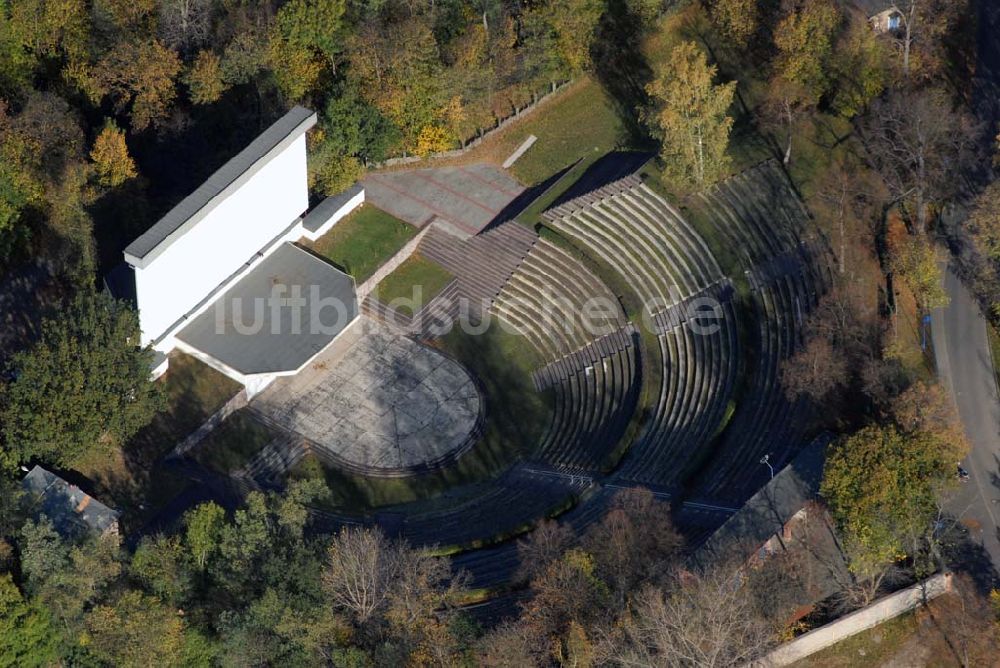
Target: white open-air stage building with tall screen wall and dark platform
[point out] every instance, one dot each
(221, 277)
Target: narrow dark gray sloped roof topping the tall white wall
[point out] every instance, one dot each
(224, 181)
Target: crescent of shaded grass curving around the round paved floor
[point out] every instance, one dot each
(515, 422)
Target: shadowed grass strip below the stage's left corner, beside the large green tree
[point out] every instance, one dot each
(194, 391)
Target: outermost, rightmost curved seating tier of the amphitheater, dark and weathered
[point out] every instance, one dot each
(787, 263)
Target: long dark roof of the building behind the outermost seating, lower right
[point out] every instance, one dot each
(768, 510)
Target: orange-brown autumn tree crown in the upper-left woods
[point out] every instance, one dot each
(139, 76)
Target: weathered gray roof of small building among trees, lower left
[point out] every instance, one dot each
(71, 510)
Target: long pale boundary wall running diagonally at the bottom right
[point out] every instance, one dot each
(861, 620)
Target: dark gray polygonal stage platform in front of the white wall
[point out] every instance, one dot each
(281, 343)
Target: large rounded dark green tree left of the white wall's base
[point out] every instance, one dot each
(84, 388)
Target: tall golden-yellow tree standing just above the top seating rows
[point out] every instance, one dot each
(692, 116)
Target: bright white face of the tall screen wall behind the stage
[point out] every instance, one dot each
(221, 243)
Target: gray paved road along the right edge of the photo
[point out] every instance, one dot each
(963, 357)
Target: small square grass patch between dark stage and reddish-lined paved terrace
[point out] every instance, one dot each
(363, 241)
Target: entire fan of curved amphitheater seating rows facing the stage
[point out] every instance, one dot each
(675, 384)
